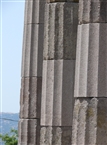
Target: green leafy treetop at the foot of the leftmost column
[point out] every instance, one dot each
(10, 138)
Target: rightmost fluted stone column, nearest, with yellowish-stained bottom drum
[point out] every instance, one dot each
(90, 109)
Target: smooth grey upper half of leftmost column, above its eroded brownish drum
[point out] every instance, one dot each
(32, 54)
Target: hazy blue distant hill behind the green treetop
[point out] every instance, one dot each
(8, 121)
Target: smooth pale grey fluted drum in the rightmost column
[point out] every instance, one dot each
(91, 61)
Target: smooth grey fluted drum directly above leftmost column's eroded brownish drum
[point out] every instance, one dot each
(32, 50)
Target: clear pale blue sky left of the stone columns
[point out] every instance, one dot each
(11, 38)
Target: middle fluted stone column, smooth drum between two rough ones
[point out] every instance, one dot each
(61, 19)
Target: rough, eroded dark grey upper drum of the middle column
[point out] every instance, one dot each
(60, 34)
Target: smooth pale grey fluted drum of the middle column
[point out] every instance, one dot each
(57, 92)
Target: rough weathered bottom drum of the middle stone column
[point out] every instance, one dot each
(55, 136)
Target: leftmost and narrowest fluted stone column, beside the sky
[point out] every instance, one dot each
(31, 82)
